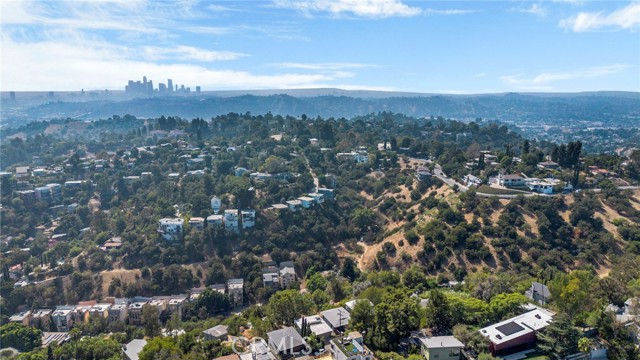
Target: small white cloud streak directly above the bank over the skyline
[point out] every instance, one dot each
(181, 53)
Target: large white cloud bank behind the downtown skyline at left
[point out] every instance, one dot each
(95, 65)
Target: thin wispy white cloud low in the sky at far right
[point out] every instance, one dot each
(543, 81)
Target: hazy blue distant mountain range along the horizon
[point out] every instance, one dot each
(621, 108)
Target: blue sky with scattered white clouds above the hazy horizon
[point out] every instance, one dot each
(421, 46)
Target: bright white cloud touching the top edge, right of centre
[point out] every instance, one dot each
(361, 8)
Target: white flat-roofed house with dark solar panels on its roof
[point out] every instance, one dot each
(518, 333)
